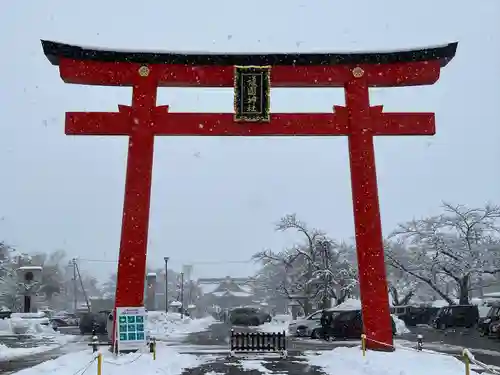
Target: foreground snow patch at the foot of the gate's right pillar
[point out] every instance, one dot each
(401, 362)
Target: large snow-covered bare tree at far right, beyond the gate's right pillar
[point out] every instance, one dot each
(458, 248)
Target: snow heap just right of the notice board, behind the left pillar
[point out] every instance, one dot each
(162, 326)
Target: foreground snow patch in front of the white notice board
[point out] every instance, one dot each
(168, 362)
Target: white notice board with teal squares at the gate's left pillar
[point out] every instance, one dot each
(131, 330)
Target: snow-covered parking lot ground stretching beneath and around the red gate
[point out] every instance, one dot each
(200, 346)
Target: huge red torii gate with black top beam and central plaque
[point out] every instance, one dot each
(251, 76)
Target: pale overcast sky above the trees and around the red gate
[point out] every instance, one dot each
(217, 199)
